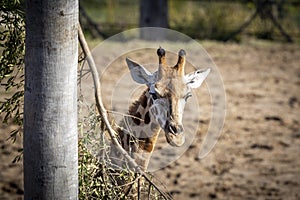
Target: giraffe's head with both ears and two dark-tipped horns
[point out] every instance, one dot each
(169, 90)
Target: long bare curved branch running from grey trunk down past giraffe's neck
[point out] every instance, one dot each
(104, 114)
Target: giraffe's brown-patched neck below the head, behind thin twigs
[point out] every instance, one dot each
(142, 131)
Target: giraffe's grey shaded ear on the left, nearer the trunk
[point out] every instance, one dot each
(139, 74)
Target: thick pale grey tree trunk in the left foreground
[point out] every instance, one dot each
(50, 107)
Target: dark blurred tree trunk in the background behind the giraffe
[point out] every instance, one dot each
(153, 13)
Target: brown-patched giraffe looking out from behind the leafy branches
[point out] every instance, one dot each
(160, 107)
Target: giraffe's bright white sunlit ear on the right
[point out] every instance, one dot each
(196, 78)
